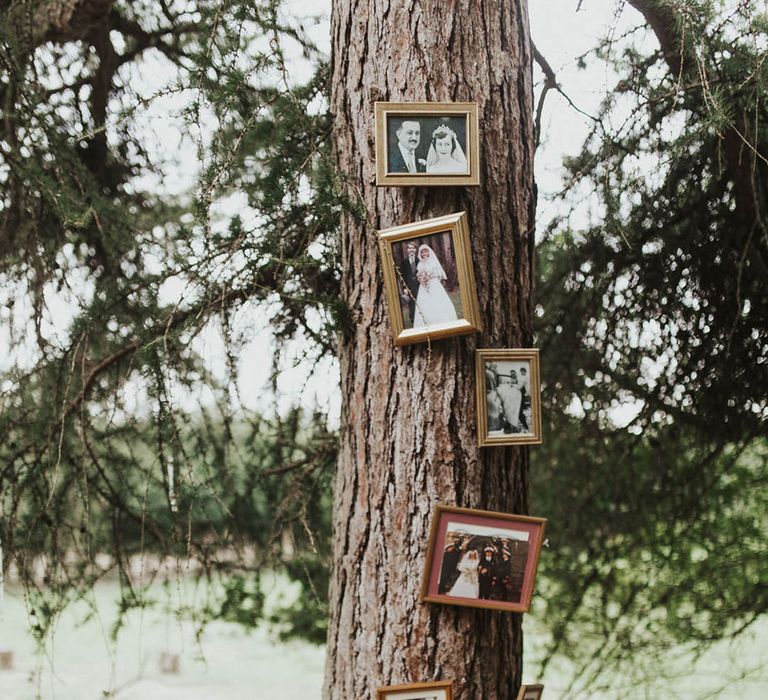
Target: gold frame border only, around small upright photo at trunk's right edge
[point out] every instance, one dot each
(514, 355)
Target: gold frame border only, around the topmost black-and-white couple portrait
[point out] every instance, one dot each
(382, 111)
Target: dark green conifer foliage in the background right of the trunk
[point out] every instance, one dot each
(653, 332)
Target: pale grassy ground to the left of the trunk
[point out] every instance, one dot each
(82, 663)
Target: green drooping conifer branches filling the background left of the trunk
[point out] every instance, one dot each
(118, 434)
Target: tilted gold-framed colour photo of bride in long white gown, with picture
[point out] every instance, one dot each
(429, 279)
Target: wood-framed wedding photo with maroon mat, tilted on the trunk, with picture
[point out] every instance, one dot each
(482, 559)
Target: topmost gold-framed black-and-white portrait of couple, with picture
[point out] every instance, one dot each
(427, 143)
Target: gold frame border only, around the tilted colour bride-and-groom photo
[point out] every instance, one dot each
(456, 225)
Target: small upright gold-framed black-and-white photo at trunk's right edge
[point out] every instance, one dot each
(508, 383)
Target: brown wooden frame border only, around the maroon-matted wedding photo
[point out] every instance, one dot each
(534, 553)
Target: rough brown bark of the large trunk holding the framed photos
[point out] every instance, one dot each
(408, 438)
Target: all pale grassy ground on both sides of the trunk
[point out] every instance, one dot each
(227, 663)
